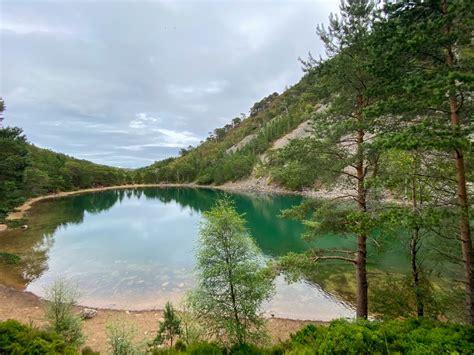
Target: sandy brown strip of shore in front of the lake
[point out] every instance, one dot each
(26, 307)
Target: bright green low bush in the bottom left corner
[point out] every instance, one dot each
(16, 338)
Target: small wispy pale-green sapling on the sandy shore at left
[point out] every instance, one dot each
(60, 301)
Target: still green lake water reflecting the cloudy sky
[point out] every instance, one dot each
(134, 249)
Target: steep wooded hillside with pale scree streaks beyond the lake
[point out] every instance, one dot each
(237, 150)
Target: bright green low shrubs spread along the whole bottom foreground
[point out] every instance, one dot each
(411, 336)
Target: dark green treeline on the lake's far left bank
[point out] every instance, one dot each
(27, 171)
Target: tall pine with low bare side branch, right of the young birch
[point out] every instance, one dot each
(344, 130)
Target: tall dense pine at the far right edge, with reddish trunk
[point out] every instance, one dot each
(425, 65)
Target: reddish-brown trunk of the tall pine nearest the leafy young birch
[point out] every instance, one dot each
(361, 258)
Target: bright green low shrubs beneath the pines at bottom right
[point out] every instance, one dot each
(413, 336)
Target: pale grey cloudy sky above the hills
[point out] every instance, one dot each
(127, 83)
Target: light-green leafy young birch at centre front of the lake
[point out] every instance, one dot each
(232, 282)
